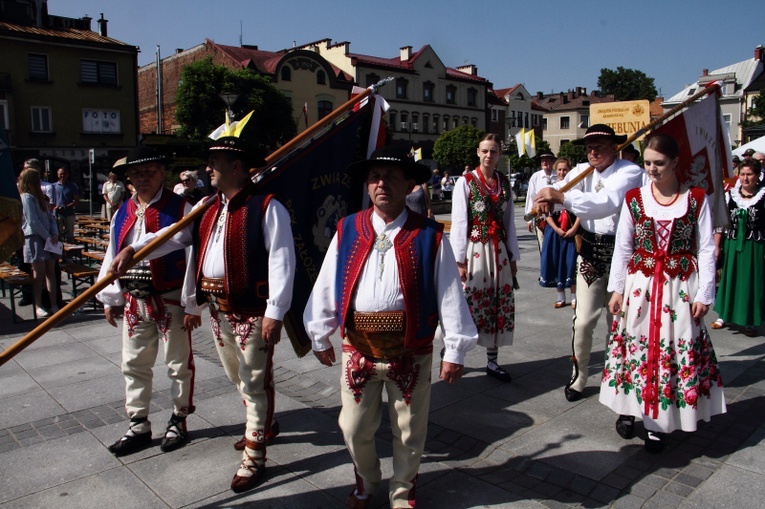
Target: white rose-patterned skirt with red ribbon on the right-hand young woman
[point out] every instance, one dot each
(689, 383)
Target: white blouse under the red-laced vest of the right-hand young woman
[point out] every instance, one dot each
(625, 242)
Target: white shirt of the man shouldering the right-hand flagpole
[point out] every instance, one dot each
(597, 200)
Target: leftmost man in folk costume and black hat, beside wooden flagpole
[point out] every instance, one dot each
(150, 294)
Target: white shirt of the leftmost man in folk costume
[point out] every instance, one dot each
(113, 295)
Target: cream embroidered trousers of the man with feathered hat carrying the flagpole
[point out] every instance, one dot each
(248, 363)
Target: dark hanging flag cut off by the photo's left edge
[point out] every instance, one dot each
(11, 237)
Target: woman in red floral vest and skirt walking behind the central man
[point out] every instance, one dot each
(486, 250)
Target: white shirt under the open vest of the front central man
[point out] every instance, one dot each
(374, 294)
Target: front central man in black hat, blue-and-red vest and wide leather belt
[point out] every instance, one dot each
(388, 278)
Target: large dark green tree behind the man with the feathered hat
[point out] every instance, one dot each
(200, 109)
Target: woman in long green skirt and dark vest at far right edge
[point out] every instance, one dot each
(741, 297)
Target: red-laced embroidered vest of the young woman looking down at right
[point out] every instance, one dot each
(679, 259)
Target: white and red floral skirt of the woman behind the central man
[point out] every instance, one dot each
(489, 293)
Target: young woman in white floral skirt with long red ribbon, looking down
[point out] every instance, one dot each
(660, 364)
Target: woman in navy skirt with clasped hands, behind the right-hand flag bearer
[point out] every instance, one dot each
(558, 258)
